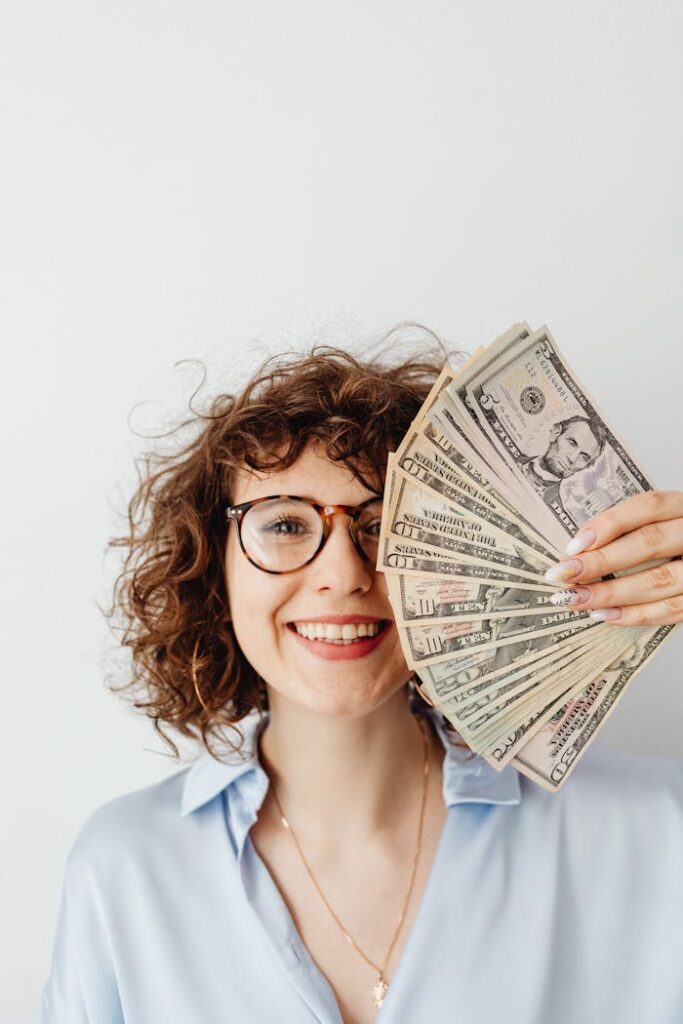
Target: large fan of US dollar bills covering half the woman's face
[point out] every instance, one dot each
(507, 459)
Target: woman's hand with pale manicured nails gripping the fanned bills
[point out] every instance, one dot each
(644, 529)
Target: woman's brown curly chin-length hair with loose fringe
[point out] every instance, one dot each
(169, 601)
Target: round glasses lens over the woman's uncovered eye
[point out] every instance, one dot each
(281, 534)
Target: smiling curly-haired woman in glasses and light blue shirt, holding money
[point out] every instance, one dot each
(352, 857)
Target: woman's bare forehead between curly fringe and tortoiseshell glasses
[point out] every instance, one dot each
(313, 476)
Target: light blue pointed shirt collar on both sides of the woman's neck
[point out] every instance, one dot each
(467, 778)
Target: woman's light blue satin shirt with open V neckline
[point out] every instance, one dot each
(540, 909)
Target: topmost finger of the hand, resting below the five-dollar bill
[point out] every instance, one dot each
(651, 507)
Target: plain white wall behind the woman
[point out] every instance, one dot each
(181, 180)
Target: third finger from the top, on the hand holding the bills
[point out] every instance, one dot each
(653, 586)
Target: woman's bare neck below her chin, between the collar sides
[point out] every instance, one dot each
(346, 780)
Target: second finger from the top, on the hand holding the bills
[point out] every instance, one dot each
(646, 544)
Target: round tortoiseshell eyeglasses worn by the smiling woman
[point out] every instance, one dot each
(284, 533)
